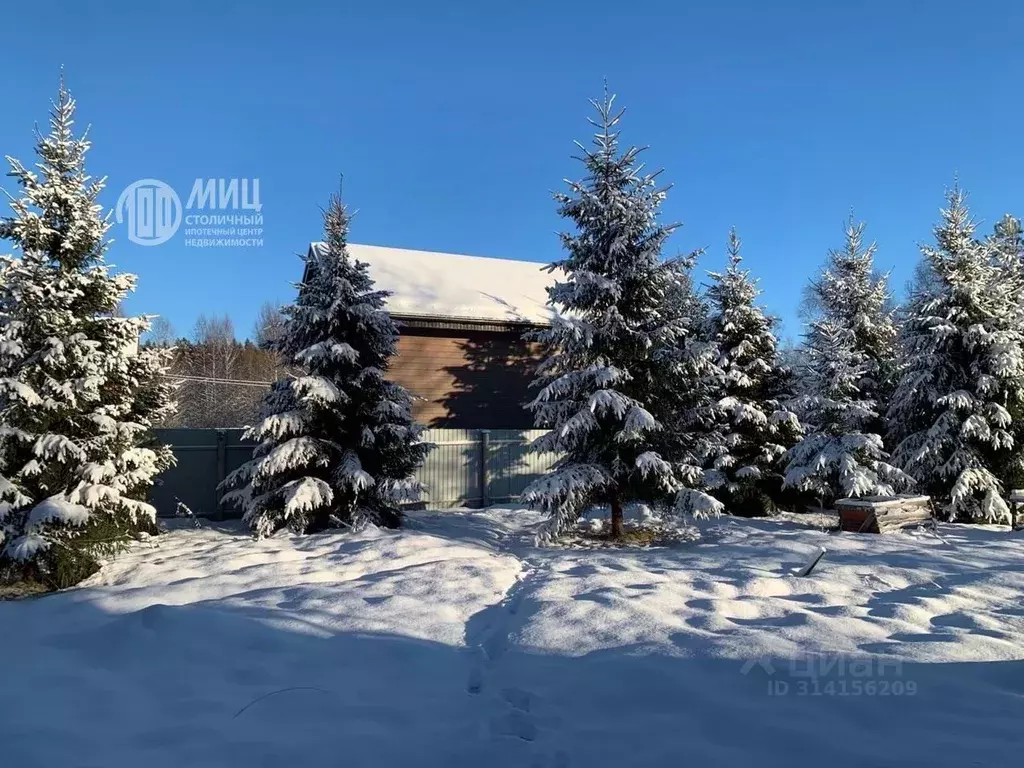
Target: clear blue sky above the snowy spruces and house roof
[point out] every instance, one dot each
(453, 122)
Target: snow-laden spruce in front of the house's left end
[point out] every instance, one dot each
(338, 445)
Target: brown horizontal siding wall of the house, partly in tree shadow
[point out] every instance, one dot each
(467, 379)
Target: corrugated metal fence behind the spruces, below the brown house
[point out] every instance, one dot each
(467, 467)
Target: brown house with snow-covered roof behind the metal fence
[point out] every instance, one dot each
(461, 321)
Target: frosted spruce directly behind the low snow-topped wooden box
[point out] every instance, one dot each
(847, 363)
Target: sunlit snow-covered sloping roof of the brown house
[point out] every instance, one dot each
(449, 286)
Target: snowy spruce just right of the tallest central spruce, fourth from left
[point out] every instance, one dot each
(755, 430)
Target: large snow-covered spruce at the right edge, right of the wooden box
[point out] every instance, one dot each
(963, 379)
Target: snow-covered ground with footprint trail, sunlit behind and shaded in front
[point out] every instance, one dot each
(456, 643)
